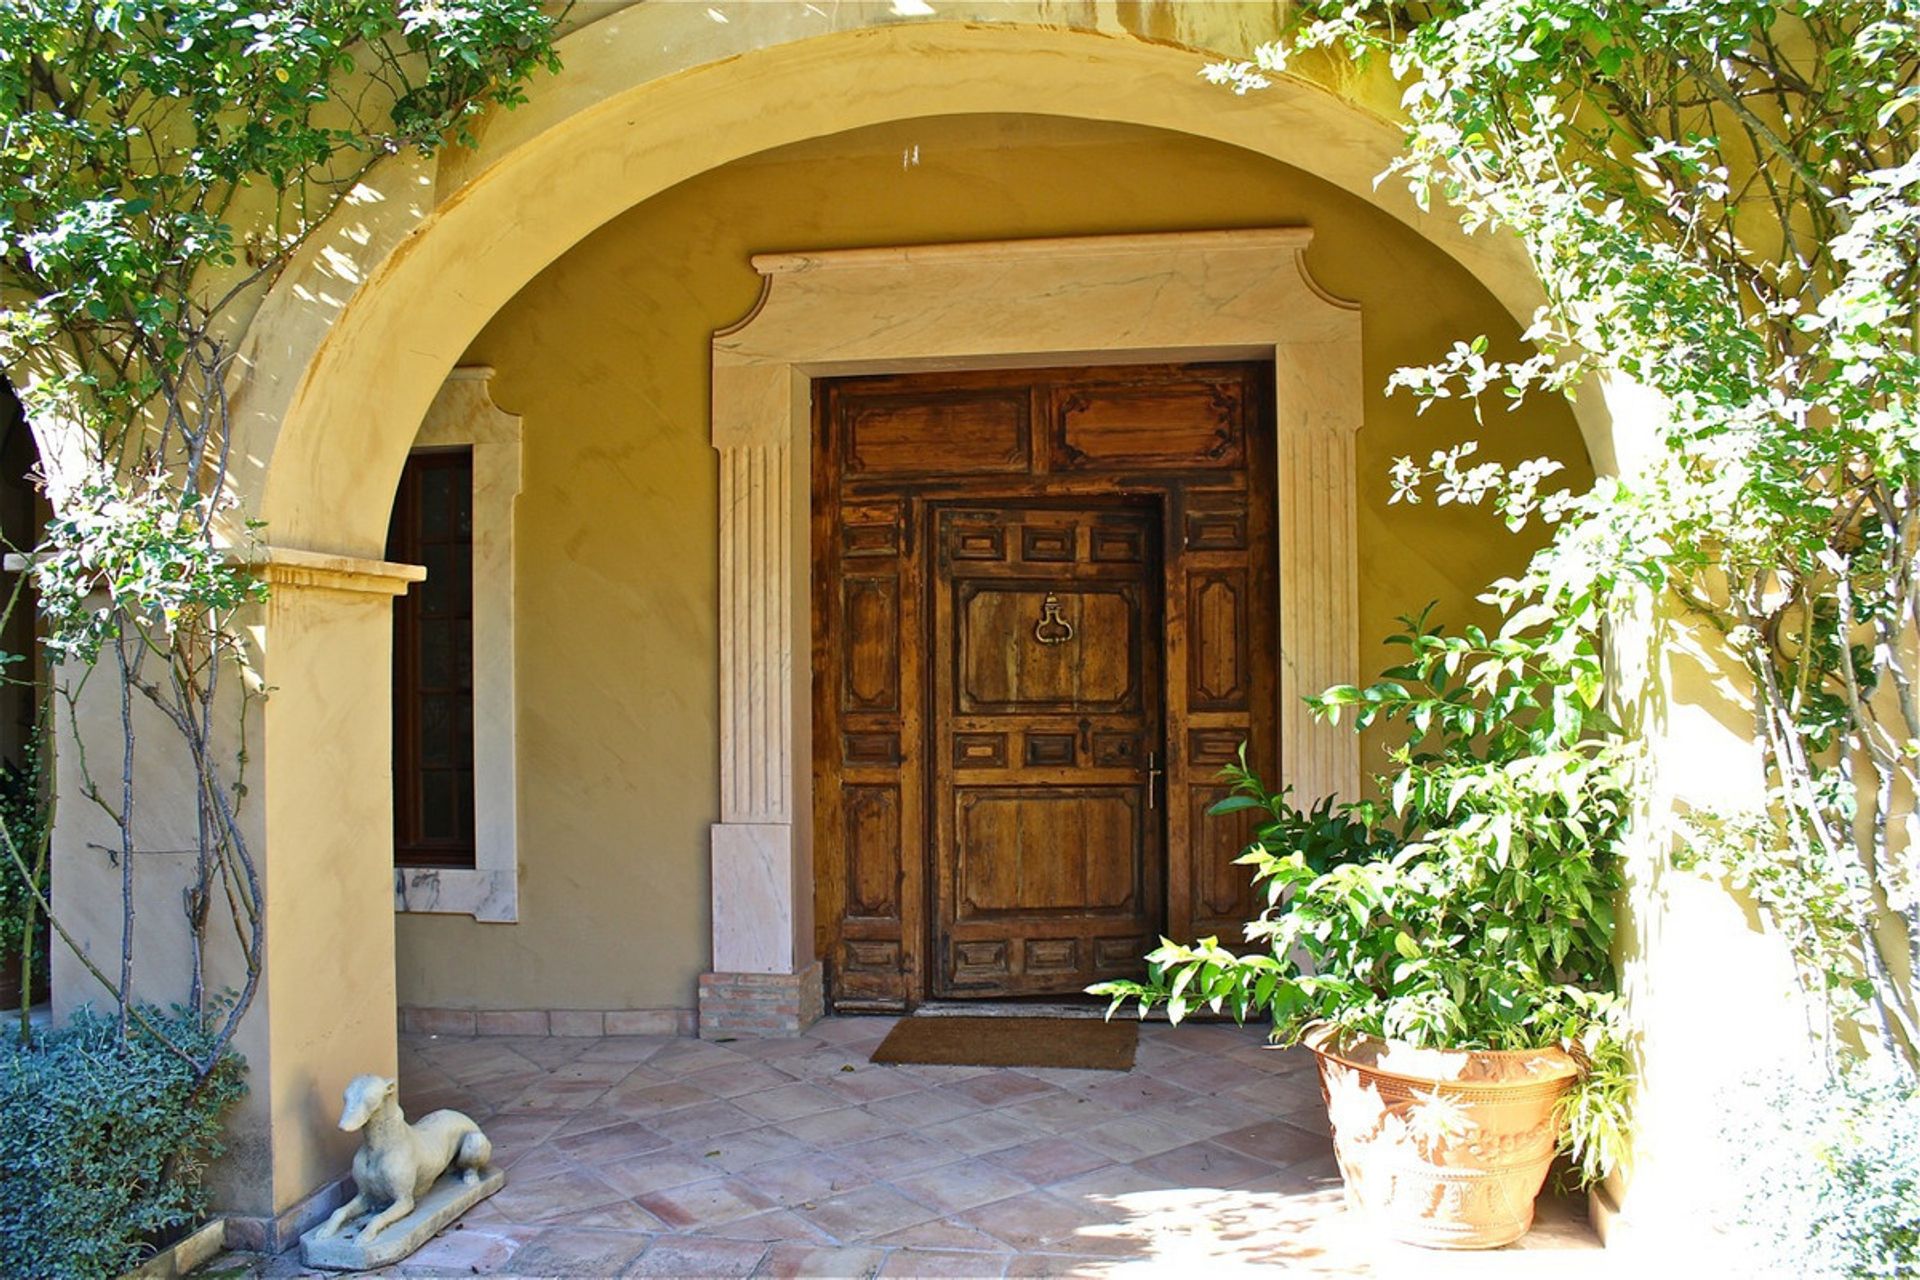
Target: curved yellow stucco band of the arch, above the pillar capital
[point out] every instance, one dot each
(352, 344)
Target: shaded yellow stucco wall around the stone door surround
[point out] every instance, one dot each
(606, 360)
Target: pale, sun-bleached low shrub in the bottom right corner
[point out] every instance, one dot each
(1831, 1175)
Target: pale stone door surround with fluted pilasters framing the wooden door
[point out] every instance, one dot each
(1097, 300)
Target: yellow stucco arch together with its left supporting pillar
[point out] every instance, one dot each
(356, 341)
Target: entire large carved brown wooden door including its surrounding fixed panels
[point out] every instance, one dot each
(1044, 619)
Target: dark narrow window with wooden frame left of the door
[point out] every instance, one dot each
(435, 663)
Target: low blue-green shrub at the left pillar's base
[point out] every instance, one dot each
(105, 1143)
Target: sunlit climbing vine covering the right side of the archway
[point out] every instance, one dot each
(1723, 206)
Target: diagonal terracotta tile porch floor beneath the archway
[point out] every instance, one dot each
(786, 1158)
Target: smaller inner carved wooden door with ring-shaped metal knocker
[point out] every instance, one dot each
(1045, 742)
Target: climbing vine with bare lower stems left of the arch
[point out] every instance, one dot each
(162, 162)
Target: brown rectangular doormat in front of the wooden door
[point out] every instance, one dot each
(1084, 1043)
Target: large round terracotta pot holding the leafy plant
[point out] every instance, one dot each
(1443, 1149)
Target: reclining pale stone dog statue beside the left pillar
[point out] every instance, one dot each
(400, 1162)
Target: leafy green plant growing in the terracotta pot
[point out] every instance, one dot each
(1474, 911)
